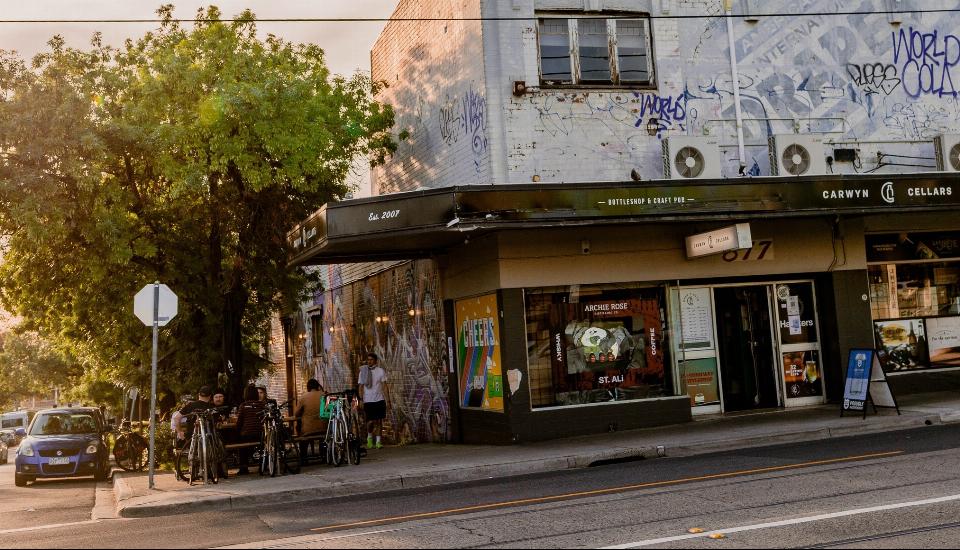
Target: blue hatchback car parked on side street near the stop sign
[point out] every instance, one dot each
(64, 443)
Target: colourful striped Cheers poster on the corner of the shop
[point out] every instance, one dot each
(478, 353)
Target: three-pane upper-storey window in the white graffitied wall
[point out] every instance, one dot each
(595, 52)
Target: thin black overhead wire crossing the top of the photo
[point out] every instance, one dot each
(474, 19)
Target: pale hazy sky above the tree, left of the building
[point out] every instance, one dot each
(347, 45)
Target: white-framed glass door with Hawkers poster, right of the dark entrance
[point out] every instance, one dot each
(798, 336)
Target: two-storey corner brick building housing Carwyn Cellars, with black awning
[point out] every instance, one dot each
(618, 214)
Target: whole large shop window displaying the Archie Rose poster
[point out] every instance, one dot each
(596, 344)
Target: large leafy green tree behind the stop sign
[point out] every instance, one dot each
(186, 156)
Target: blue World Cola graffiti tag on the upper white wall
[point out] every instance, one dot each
(926, 61)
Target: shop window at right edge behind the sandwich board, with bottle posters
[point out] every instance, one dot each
(915, 298)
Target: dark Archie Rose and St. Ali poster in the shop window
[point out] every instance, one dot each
(609, 347)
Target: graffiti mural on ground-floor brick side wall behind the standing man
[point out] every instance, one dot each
(398, 315)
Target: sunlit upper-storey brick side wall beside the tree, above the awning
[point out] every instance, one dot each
(435, 75)
